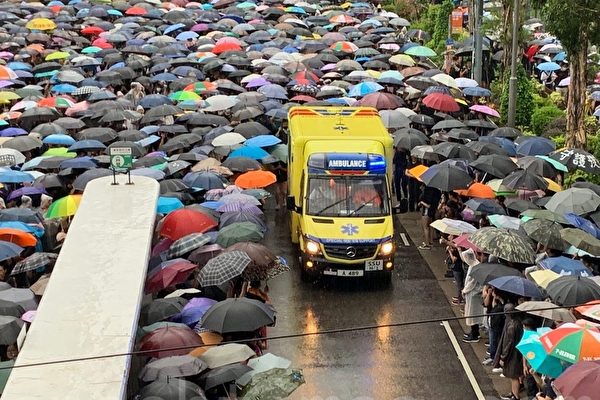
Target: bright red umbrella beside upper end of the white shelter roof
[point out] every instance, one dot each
(184, 221)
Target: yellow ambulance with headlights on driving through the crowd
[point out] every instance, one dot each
(339, 191)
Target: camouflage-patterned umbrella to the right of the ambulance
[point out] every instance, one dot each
(505, 244)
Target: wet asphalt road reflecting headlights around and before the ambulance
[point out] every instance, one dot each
(413, 362)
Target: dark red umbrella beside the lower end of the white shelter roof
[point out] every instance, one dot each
(169, 337)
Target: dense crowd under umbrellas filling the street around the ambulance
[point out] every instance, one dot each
(199, 93)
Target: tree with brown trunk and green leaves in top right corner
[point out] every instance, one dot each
(575, 23)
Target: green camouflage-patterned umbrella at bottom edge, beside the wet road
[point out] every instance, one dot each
(277, 383)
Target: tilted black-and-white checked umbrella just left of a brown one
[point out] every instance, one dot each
(223, 268)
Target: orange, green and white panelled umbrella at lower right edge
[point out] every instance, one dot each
(573, 342)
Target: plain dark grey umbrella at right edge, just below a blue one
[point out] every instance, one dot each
(572, 290)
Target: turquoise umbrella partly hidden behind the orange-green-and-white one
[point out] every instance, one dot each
(536, 355)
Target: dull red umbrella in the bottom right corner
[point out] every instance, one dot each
(579, 381)
